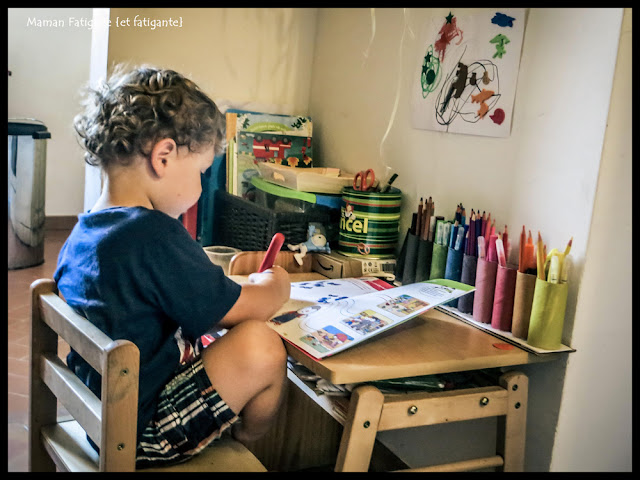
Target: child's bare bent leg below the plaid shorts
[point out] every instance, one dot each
(247, 367)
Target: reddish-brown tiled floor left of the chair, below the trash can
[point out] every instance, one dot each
(19, 310)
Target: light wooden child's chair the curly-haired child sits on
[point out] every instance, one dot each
(109, 421)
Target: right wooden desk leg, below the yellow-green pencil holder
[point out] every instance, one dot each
(512, 427)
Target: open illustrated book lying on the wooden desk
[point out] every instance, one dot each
(347, 311)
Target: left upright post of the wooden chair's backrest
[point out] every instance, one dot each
(42, 403)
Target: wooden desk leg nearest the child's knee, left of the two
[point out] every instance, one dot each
(360, 430)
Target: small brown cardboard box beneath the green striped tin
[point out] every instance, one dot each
(336, 265)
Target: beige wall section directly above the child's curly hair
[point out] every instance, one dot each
(238, 54)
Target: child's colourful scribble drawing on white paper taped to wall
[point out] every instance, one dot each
(466, 76)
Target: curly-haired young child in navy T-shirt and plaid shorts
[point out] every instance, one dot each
(131, 268)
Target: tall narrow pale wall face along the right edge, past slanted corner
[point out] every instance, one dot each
(597, 434)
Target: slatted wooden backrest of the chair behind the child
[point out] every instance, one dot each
(109, 421)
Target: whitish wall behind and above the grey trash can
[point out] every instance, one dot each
(49, 65)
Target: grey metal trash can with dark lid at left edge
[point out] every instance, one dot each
(26, 171)
